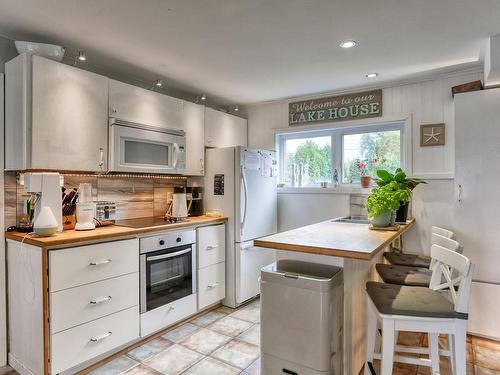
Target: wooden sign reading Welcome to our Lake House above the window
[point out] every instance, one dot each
(336, 108)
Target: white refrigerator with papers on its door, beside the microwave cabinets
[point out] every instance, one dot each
(241, 183)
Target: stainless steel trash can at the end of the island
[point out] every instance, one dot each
(301, 318)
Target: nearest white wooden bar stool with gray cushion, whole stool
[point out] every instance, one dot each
(428, 310)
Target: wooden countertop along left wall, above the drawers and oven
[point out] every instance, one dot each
(72, 237)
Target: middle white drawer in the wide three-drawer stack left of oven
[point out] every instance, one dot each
(72, 307)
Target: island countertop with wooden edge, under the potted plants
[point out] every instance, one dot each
(339, 239)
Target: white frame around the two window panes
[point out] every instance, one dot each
(337, 142)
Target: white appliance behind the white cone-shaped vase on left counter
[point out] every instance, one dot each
(46, 186)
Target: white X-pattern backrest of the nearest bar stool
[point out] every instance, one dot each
(446, 265)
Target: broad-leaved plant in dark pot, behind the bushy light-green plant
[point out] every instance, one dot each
(404, 183)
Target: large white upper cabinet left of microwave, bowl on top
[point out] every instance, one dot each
(56, 116)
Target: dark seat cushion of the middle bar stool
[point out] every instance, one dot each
(402, 275)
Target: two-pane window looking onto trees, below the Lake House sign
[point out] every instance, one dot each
(308, 158)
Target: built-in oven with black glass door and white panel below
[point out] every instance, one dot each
(167, 279)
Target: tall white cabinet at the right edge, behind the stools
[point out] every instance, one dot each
(477, 202)
